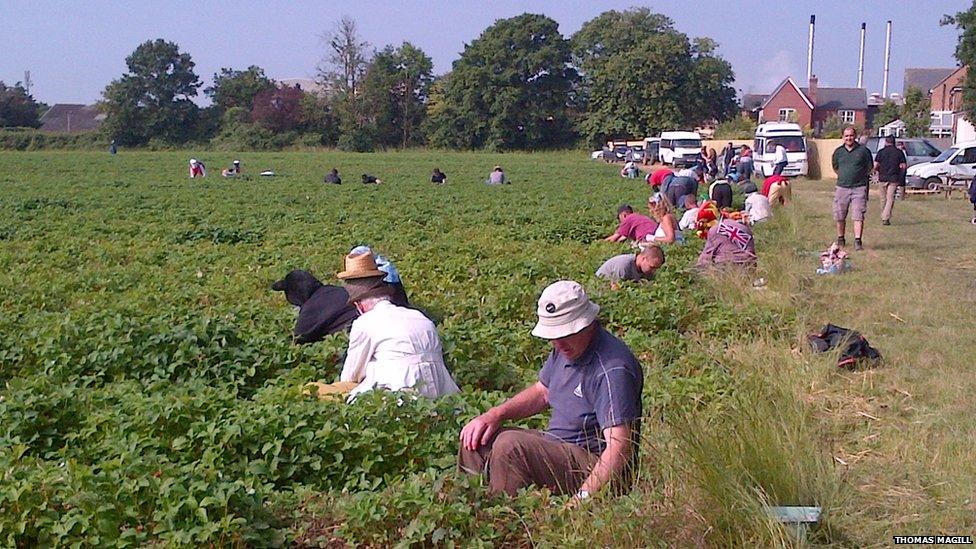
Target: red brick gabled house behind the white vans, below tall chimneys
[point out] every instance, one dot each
(812, 105)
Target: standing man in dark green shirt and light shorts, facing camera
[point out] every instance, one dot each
(852, 162)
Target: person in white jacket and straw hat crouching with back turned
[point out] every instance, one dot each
(390, 347)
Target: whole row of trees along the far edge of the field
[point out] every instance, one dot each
(521, 85)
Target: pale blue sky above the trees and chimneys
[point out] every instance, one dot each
(73, 49)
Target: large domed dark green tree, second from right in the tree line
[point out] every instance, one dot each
(510, 89)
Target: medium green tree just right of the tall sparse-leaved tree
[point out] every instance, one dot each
(397, 85)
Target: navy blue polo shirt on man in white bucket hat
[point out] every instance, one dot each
(600, 389)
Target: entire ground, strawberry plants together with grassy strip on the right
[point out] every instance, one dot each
(151, 392)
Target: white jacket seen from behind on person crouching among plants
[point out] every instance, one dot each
(396, 348)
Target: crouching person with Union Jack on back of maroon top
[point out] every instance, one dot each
(728, 243)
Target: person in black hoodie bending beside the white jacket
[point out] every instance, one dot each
(323, 308)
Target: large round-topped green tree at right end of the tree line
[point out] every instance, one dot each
(641, 76)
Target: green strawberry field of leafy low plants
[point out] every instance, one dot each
(150, 392)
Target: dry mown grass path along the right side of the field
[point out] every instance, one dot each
(901, 436)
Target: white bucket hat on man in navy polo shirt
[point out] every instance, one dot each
(564, 309)
